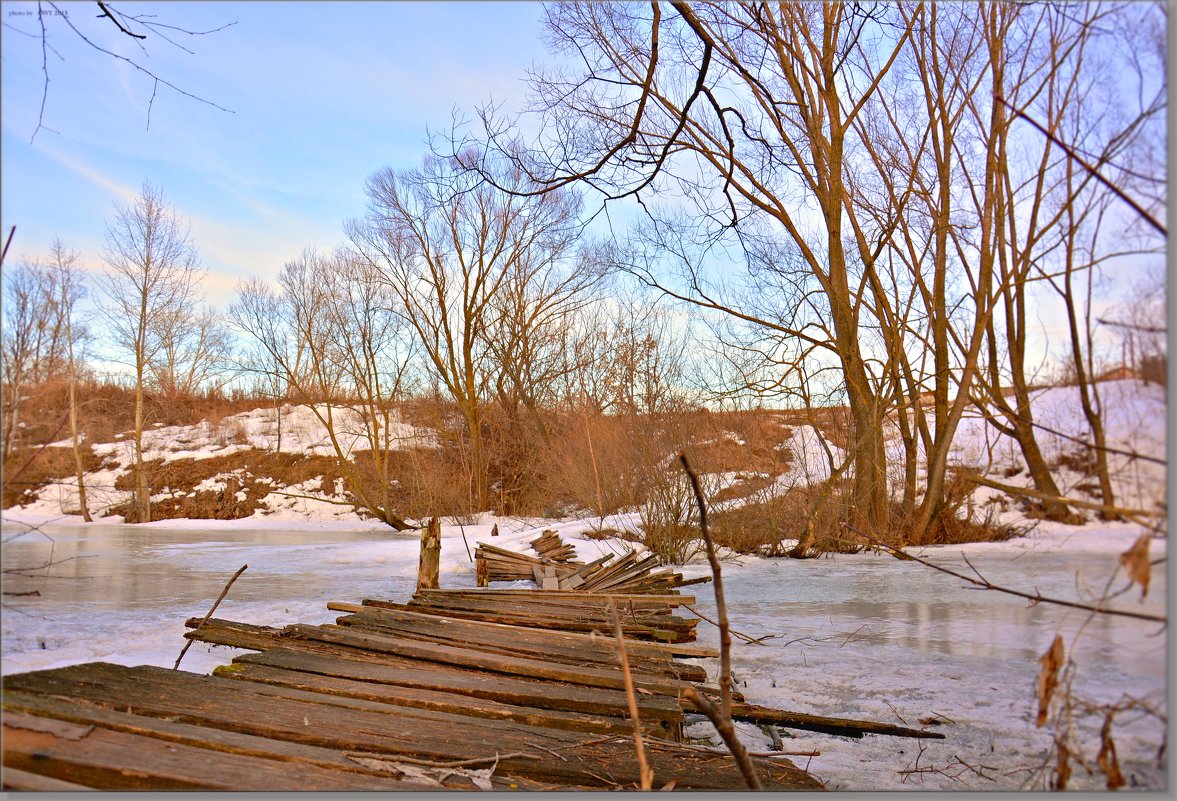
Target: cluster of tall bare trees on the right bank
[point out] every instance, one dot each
(876, 177)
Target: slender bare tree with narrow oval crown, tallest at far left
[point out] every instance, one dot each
(151, 288)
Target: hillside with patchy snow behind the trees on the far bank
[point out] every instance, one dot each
(1135, 420)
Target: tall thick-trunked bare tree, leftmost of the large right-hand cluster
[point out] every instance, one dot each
(742, 111)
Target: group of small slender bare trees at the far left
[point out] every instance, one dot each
(149, 309)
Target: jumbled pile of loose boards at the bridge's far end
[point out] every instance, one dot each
(555, 569)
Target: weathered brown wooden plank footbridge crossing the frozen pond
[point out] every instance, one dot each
(456, 690)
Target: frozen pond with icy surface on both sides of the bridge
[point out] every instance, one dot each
(853, 637)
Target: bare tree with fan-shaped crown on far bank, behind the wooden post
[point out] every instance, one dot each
(460, 255)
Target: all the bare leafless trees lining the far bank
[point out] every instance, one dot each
(861, 204)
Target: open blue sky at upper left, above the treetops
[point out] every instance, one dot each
(322, 95)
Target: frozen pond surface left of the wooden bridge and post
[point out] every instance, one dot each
(122, 593)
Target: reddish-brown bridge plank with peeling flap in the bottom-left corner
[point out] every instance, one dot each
(116, 760)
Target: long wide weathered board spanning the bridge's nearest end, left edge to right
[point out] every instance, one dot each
(222, 704)
